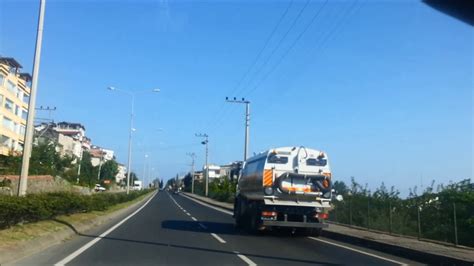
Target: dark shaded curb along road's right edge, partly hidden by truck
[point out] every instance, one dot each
(417, 255)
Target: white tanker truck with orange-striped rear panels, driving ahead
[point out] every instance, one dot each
(287, 187)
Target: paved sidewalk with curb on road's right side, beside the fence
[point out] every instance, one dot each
(432, 253)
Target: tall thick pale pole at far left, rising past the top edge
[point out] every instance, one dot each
(25, 163)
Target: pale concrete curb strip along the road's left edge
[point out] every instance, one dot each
(22, 250)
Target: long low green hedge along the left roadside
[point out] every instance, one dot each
(37, 207)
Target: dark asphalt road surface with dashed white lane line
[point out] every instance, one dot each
(174, 229)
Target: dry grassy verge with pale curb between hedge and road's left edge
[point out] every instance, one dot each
(20, 241)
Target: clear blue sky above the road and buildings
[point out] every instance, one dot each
(384, 87)
